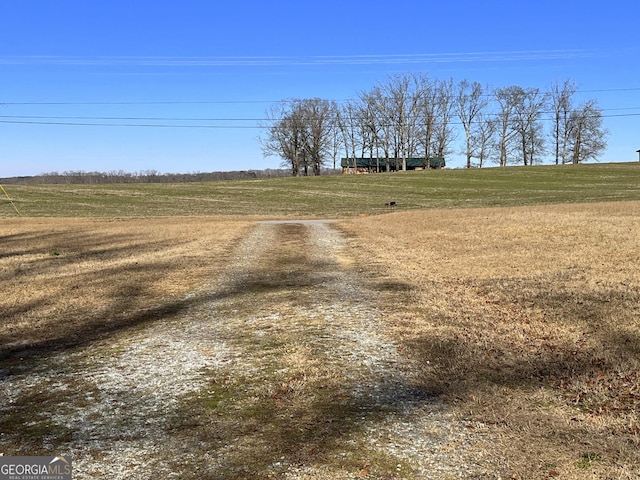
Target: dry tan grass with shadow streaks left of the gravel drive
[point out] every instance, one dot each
(65, 282)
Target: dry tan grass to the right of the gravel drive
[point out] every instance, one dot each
(527, 319)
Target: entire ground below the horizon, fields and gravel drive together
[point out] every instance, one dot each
(512, 294)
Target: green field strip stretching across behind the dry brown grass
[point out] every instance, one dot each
(333, 196)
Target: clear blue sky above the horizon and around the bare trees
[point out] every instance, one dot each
(85, 61)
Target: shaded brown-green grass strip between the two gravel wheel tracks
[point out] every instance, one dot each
(287, 418)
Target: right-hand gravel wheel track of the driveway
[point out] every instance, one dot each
(416, 427)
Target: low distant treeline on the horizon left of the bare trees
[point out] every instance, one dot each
(146, 176)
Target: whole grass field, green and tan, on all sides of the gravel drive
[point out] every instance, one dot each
(524, 318)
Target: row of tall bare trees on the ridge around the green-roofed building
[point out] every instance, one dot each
(413, 115)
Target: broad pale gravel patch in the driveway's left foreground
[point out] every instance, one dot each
(119, 394)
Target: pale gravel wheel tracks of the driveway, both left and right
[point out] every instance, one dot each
(117, 397)
